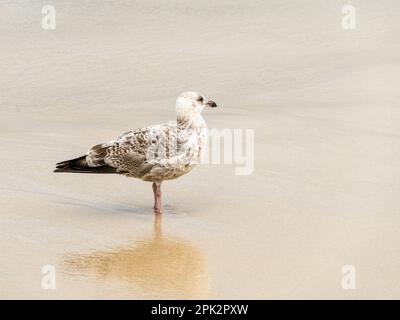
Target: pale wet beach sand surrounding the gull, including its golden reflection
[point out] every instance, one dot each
(324, 106)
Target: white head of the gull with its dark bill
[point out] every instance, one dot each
(190, 104)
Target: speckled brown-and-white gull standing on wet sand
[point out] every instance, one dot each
(154, 153)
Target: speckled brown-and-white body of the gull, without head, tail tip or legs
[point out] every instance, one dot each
(154, 153)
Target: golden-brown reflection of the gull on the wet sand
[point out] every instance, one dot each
(162, 267)
